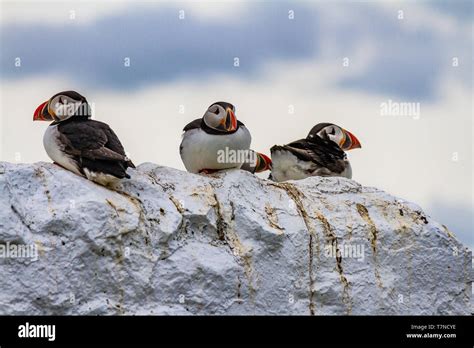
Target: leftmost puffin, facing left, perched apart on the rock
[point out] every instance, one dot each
(79, 144)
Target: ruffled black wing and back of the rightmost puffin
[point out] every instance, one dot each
(322, 152)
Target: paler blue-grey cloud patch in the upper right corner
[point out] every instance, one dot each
(407, 63)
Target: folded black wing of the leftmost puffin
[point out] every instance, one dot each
(95, 146)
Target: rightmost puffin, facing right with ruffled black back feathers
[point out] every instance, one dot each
(321, 153)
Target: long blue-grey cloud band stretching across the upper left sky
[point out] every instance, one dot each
(161, 47)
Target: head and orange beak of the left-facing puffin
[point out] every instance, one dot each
(62, 106)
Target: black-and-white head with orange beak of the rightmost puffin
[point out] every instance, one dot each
(328, 131)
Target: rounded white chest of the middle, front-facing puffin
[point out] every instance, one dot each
(201, 150)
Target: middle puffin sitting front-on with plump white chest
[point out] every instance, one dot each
(215, 142)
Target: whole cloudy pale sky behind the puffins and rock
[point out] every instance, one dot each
(299, 63)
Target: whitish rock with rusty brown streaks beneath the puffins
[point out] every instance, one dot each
(170, 242)
